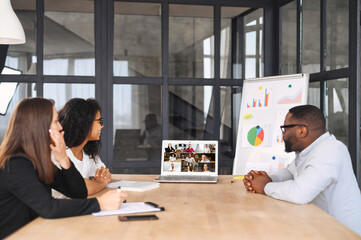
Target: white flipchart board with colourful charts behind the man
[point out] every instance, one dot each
(265, 103)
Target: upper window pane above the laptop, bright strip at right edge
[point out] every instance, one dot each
(191, 41)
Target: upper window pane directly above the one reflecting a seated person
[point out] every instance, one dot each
(137, 49)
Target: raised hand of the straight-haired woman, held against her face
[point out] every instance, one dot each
(58, 148)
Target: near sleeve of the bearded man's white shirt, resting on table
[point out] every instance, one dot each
(317, 175)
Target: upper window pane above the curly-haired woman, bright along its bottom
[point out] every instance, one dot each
(69, 38)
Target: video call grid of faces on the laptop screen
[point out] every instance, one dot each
(189, 157)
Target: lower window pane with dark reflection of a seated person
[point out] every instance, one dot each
(137, 123)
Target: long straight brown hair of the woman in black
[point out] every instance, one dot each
(27, 135)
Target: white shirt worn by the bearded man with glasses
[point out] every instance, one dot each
(322, 174)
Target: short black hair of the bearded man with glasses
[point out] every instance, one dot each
(310, 115)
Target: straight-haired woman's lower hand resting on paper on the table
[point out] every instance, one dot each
(111, 200)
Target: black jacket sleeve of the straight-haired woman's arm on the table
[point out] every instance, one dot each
(23, 183)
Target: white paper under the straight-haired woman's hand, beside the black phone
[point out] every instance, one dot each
(127, 208)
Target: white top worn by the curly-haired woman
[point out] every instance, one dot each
(87, 167)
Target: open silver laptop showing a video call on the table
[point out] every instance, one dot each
(189, 161)
